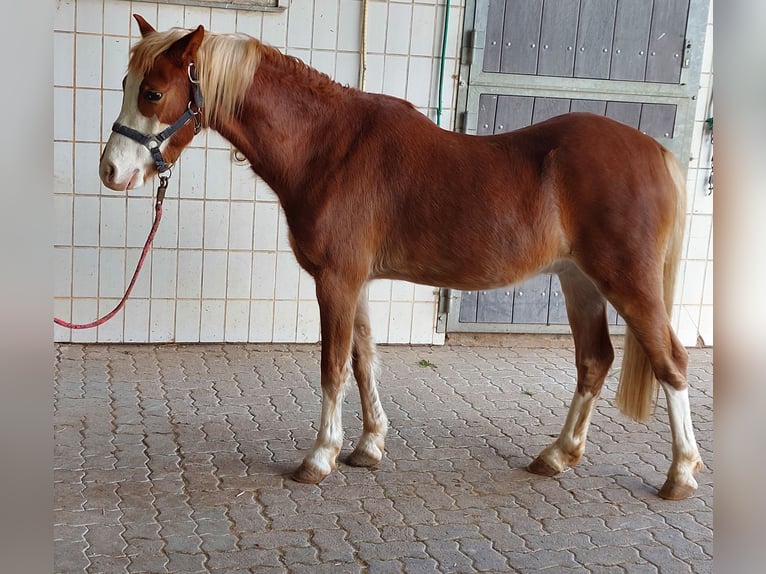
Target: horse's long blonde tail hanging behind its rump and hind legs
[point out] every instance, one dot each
(638, 387)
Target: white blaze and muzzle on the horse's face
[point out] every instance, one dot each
(125, 163)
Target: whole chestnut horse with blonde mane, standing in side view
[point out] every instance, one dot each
(372, 189)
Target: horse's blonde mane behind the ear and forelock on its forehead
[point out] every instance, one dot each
(225, 63)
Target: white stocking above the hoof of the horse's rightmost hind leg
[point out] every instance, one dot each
(686, 457)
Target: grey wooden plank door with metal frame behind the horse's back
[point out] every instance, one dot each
(636, 61)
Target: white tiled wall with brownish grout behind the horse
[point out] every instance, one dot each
(221, 268)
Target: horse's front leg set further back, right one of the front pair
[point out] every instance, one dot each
(369, 450)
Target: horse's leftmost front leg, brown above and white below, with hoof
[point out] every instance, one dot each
(337, 303)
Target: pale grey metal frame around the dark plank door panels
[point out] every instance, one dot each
(474, 81)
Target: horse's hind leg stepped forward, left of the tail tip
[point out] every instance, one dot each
(586, 310)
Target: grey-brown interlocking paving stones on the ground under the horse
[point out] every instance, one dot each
(174, 458)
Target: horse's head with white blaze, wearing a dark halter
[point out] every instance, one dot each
(161, 108)
